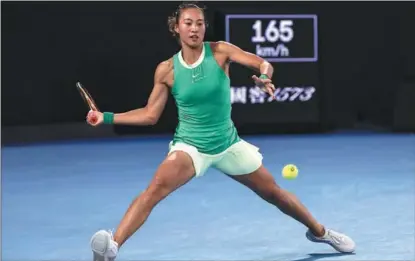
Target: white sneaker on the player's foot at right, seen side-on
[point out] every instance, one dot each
(338, 241)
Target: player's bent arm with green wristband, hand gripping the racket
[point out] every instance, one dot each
(148, 115)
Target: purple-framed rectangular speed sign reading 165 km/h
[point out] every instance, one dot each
(275, 37)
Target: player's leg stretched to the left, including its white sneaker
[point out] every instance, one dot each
(175, 171)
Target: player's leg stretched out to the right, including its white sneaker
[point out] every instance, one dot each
(264, 185)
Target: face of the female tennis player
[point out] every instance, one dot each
(191, 27)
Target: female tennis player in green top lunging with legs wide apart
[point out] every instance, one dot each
(198, 78)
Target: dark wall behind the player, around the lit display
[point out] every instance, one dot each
(365, 73)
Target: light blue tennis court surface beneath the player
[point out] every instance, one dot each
(56, 196)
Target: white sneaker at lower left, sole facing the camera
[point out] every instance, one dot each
(103, 246)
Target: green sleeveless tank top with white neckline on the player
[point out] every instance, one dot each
(202, 96)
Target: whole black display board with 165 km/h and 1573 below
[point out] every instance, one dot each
(290, 43)
